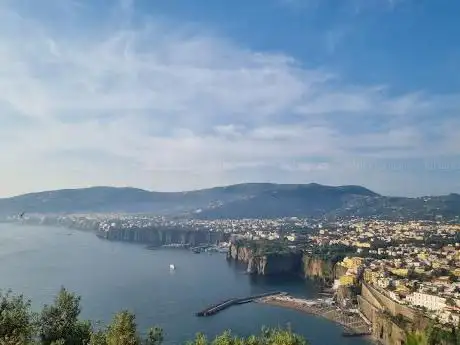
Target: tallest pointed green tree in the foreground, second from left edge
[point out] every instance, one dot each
(59, 322)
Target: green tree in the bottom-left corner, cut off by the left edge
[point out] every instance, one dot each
(16, 319)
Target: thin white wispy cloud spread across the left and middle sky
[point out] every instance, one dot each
(167, 108)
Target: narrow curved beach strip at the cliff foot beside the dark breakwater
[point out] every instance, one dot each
(353, 322)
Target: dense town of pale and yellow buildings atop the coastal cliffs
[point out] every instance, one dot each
(415, 263)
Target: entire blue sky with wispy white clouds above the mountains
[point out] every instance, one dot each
(173, 95)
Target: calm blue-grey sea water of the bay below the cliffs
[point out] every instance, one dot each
(111, 276)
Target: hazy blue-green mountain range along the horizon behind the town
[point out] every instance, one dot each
(249, 200)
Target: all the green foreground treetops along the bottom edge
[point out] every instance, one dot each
(59, 324)
